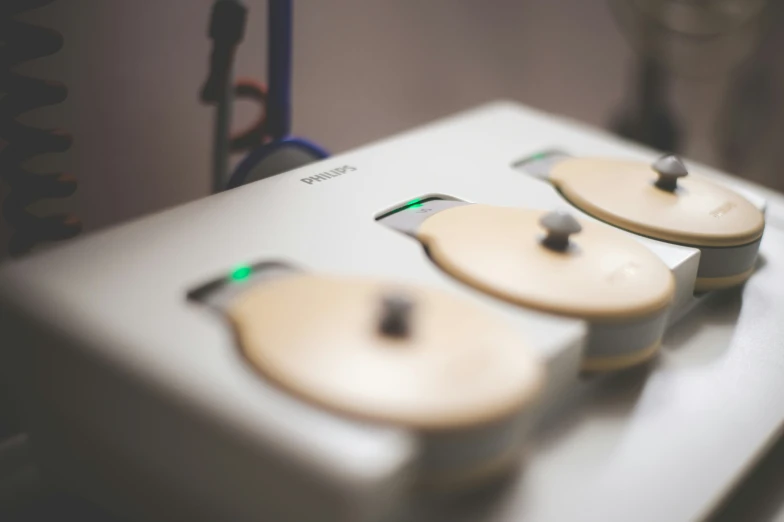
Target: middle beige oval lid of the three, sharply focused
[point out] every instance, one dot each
(604, 274)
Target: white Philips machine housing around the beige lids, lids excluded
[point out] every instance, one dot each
(138, 397)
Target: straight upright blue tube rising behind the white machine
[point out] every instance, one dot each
(279, 69)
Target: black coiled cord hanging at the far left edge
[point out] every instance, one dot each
(21, 42)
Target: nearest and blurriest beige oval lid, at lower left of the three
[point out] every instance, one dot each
(319, 337)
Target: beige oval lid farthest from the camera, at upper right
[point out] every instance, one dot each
(698, 212)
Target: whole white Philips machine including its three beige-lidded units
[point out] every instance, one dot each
(469, 321)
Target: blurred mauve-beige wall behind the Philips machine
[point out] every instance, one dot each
(363, 69)
